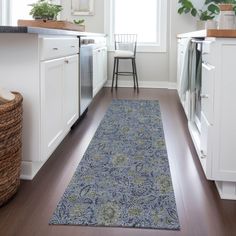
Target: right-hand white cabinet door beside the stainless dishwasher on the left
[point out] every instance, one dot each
(70, 91)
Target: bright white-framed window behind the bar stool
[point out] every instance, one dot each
(147, 18)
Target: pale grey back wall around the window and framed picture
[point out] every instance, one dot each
(152, 67)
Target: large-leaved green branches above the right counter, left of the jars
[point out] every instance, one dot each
(208, 12)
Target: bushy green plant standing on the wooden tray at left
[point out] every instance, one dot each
(44, 9)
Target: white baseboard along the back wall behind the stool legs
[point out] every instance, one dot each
(144, 84)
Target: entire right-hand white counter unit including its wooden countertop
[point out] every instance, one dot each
(212, 123)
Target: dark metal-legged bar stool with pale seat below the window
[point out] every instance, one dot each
(125, 49)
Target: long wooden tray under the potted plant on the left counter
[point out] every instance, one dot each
(64, 25)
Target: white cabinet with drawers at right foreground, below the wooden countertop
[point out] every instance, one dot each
(217, 148)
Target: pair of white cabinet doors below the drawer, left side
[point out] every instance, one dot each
(59, 100)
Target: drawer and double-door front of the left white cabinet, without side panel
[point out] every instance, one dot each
(59, 91)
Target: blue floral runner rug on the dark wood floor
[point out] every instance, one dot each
(123, 179)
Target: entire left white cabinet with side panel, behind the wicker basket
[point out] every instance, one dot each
(44, 69)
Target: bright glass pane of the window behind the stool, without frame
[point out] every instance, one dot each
(138, 17)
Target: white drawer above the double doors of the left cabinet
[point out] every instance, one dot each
(51, 48)
